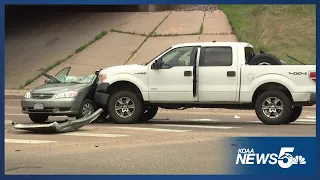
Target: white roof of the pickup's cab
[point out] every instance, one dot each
(212, 44)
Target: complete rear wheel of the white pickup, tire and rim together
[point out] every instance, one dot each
(262, 107)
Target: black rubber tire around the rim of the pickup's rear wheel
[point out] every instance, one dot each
(286, 107)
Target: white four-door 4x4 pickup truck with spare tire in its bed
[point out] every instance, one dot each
(207, 75)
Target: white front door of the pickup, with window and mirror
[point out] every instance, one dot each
(173, 81)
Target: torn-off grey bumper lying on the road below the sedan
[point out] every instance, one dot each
(55, 127)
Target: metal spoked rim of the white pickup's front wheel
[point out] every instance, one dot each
(124, 107)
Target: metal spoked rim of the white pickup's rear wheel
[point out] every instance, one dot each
(272, 107)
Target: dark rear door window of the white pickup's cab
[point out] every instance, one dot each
(216, 56)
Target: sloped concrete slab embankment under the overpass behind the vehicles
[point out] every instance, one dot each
(87, 23)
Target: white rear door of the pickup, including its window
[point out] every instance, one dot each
(218, 80)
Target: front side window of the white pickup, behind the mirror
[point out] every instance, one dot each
(178, 57)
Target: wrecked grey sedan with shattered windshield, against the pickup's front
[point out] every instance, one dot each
(61, 95)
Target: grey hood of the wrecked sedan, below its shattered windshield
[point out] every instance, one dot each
(57, 88)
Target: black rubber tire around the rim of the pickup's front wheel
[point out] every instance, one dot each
(135, 112)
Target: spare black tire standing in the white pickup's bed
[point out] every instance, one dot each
(265, 58)
